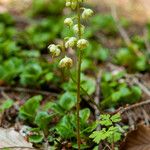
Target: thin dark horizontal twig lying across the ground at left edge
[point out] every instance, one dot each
(19, 89)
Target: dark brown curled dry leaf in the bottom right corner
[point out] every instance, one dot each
(138, 139)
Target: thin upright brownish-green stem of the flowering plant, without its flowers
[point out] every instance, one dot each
(78, 77)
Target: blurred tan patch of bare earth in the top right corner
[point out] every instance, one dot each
(137, 10)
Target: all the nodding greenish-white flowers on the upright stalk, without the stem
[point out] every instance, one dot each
(72, 42)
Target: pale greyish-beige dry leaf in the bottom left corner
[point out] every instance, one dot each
(11, 138)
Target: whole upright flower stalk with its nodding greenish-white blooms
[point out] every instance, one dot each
(74, 42)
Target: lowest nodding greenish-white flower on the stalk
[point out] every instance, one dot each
(66, 62)
